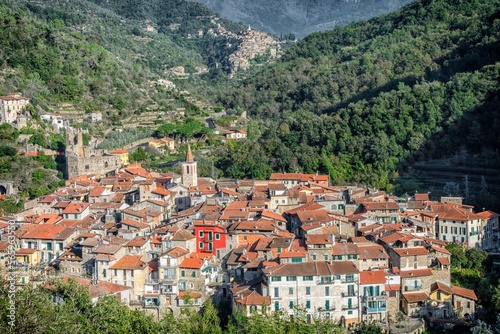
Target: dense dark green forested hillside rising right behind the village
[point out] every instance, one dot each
(363, 101)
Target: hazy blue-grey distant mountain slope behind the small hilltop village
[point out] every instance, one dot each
(301, 17)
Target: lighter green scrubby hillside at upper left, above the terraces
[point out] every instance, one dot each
(98, 55)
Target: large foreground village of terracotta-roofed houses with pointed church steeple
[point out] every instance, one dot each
(163, 242)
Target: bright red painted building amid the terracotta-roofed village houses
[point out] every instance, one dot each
(211, 237)
